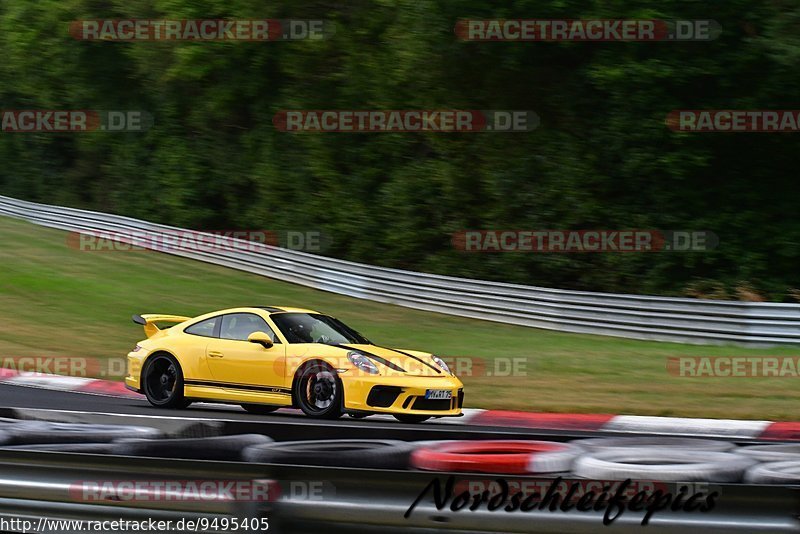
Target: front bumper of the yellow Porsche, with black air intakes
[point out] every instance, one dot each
(402, 395)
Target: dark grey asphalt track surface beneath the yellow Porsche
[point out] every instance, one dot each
(26, 402)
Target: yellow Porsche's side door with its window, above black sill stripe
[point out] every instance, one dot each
(234, 361)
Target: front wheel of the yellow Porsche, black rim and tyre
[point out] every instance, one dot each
(318, 391)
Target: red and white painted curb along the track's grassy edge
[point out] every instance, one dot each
(633, 424)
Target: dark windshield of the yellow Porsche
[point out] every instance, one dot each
(316, 328)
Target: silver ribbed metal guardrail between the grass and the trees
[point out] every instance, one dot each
(629, 316)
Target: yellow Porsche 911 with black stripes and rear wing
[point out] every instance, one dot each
(266, 358)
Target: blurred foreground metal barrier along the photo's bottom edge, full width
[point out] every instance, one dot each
(302, 499)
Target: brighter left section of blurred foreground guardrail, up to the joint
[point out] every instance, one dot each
(88, 487)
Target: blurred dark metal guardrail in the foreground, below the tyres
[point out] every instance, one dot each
(38, 484)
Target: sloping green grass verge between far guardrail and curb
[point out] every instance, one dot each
(57, 301)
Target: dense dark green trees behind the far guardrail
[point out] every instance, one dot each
(602, 157)
